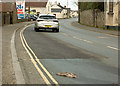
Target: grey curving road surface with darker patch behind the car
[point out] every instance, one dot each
(93, 56)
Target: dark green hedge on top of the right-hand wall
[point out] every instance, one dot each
(91, 5)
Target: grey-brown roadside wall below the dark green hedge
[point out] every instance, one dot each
(92, 18)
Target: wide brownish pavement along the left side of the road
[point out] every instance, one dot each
(8, 73)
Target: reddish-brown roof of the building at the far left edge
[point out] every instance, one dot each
(7, 7)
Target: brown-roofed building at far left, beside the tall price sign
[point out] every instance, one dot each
(8, 12)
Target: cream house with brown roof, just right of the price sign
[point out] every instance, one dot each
(36, 7)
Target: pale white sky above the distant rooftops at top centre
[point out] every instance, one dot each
(64, 2)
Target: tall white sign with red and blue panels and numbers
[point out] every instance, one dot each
(20, 8)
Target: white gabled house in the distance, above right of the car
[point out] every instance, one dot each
(58, 10)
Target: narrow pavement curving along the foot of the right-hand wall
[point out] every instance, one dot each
(100, 30)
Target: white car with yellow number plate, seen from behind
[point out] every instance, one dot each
(47, 21)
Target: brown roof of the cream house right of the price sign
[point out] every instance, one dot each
(36, 4)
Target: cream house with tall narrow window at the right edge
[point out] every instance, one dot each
(112, 15)
